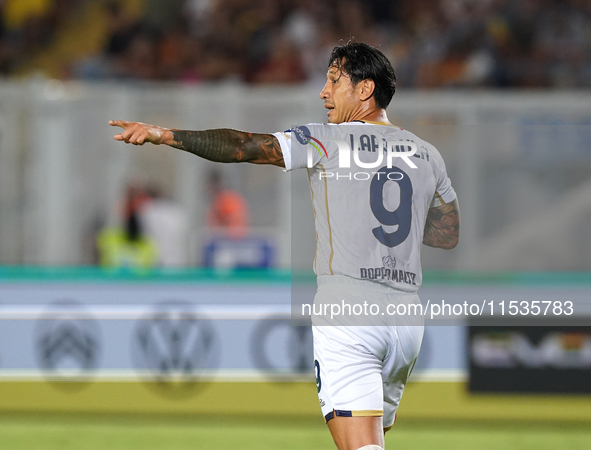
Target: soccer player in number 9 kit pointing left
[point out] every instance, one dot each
(370, 223)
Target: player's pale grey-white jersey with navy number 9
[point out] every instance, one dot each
(369, 221)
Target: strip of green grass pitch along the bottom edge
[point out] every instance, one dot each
(50, 432)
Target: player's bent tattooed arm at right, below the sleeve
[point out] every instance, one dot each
(442, 229)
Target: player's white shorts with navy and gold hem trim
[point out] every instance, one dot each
(362, 370)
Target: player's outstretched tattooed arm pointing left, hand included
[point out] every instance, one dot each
(223, 145)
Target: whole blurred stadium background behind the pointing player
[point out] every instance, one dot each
(185, 341)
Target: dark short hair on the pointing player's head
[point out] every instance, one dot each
(361, 62)
